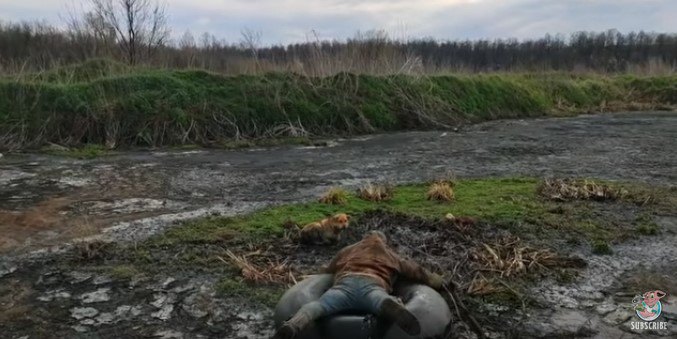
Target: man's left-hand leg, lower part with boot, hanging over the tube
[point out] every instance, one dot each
(336, 299)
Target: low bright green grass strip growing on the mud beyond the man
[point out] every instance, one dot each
(511, 203)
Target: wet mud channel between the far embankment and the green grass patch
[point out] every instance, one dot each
(54, 199)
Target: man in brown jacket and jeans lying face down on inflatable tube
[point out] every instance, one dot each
(364, 274)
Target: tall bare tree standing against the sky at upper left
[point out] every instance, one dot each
(140, 25)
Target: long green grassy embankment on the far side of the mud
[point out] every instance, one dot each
(104, 103)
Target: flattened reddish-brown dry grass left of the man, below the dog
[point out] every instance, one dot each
(270, 273)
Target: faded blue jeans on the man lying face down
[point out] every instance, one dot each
(352, 293)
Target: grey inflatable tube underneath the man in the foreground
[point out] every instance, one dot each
(426, 304)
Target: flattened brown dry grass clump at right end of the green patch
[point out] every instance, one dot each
(569, 189)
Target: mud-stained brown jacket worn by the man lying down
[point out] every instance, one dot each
(371, 257)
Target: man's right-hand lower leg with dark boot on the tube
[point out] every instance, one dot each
(389, 308)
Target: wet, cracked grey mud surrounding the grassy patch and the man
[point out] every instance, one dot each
(45, 201)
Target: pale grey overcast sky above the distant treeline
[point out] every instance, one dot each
(284, 21)
